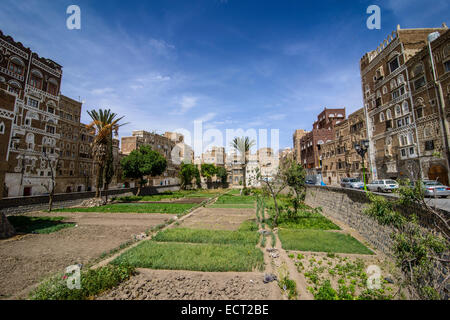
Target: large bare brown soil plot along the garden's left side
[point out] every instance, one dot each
(27, 259)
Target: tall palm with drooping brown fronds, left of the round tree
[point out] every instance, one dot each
(104, 124)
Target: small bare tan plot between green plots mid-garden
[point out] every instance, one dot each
(218, 218)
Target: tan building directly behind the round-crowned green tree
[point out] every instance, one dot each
(159, 143)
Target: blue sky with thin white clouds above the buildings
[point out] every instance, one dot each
(249, 64)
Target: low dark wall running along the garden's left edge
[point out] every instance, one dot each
(11, 206)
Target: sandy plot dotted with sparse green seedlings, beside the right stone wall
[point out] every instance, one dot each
(343, 276)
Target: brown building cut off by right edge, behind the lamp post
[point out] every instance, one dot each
(432, 132)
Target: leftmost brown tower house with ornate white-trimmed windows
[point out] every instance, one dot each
(34, 82)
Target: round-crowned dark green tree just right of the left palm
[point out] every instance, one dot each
(141, 163)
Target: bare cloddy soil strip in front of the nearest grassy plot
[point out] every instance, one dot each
(190, 285)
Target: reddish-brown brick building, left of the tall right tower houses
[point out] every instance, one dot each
(323, 131)
